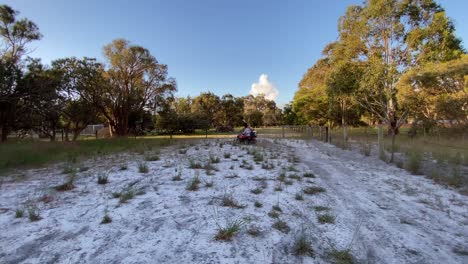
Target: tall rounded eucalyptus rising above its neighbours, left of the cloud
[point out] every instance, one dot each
(137, 82)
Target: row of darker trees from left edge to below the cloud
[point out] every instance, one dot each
(130, 92)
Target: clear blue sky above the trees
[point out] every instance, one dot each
(209, 45)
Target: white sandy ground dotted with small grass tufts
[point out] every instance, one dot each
(383, 214)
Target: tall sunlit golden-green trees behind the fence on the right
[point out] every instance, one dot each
(394, 61)
